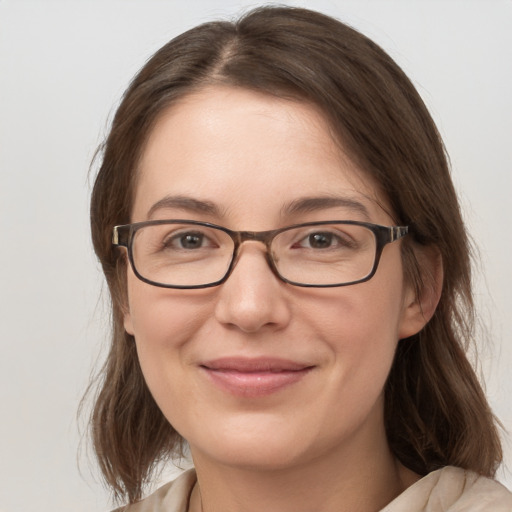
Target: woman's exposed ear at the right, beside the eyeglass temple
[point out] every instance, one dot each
(420, 304)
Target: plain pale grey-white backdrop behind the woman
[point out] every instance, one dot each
(63, 68)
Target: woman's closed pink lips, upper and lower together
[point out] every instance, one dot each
(254, 377)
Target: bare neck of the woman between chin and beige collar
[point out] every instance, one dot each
(342, 480)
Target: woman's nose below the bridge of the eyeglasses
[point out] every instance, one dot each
(253, 298)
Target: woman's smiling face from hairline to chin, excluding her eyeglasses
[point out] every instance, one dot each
(256, 372)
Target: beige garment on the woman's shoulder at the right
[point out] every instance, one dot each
(453, 490)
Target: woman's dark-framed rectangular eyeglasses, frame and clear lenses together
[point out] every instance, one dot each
(191, 254)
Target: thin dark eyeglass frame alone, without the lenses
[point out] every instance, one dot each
(123, 236)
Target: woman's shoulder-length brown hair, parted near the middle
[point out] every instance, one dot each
(436, 413)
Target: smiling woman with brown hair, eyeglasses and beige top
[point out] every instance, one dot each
(290, 282)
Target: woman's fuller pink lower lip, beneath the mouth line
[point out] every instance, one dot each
(255, 384)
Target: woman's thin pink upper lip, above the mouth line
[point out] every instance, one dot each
(258, 364)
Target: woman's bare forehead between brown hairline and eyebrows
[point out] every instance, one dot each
(247, 153)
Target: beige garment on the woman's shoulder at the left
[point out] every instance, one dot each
(172, 497)
